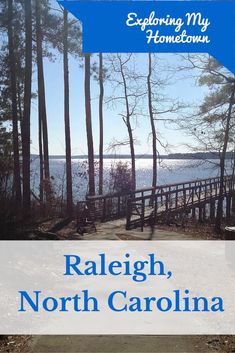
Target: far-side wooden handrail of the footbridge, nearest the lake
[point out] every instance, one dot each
(114, 206)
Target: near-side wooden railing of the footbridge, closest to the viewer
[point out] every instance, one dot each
(168, 200)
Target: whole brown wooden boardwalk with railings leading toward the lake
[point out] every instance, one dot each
(197, 198)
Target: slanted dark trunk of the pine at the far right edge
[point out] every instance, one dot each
(219, 214)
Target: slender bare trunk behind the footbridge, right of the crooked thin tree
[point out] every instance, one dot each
(151, 116)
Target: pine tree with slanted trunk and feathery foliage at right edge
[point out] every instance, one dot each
(212, 125)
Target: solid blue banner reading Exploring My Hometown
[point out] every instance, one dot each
(158, 26)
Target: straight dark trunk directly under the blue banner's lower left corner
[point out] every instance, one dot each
(91, 170)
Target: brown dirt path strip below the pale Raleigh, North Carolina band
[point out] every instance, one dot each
(121, 344)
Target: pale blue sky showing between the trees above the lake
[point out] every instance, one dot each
(183, 89)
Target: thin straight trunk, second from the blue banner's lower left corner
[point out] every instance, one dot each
(101, 147)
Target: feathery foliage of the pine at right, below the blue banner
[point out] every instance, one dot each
(212, 115)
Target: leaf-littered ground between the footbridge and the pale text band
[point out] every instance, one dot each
(115, 230)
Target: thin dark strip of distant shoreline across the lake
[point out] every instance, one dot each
(180, 156)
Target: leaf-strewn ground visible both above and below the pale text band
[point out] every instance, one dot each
(115, 230)
